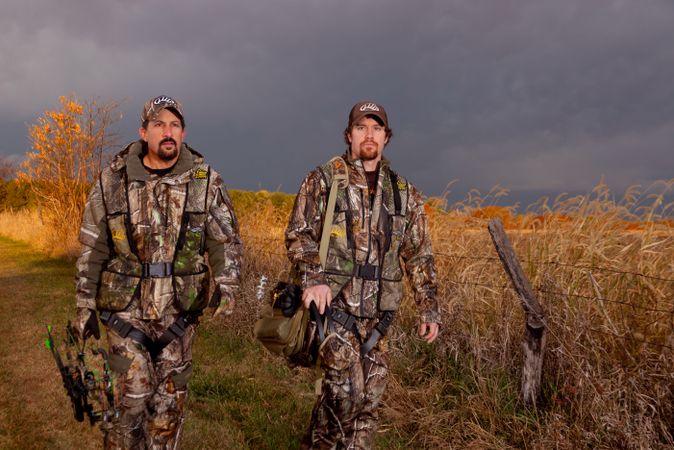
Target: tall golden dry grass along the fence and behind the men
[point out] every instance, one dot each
(604, 272)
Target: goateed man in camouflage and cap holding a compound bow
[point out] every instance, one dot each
(149, 220)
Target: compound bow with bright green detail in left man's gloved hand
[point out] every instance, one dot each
(89, 385)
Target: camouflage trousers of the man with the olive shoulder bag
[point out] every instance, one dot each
(345, 415)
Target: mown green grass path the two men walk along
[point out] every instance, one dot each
(240, 397)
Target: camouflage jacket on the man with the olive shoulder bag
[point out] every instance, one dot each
(368, 239)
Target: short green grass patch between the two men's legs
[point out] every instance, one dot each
(238, 385)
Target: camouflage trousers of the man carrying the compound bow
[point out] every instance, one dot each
(150, 394)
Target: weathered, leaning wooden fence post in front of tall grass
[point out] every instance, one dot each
(533, 343)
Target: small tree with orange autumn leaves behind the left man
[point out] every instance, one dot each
(68, 147)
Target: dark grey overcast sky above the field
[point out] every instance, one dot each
(538, 96)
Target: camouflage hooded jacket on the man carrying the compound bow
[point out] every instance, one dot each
(143, 238)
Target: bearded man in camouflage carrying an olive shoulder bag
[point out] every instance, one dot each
(378, 222)
